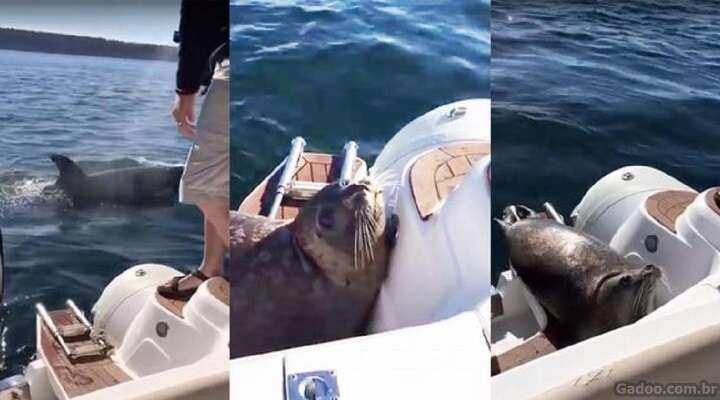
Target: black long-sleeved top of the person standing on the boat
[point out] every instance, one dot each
(203, 36)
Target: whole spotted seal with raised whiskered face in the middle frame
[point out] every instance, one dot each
(311, 280)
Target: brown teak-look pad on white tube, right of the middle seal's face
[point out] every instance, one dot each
(435, 174)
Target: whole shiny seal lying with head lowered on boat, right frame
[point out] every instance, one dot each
(583, 283)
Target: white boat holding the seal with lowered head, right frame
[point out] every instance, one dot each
(648, 217)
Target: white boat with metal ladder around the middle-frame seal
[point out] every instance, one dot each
(431, 323)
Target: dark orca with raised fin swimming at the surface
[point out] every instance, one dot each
(136, 186)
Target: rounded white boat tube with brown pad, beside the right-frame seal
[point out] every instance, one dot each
(650, 217)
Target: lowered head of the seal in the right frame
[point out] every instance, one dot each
(630, 292)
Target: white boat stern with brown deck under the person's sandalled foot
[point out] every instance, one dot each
(136, 345)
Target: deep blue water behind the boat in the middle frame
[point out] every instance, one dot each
(332, 71)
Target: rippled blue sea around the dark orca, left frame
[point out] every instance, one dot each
(106, 113)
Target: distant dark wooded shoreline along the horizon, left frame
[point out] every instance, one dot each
(41, 42)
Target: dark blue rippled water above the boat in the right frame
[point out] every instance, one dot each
(580, 89)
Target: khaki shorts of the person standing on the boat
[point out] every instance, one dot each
(207, 169)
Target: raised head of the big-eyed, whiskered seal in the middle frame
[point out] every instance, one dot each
(342, 230)
